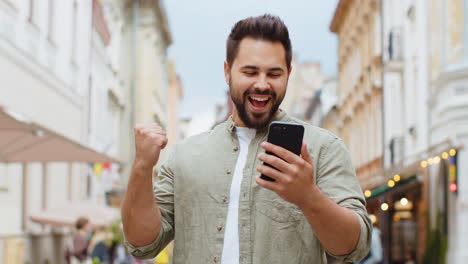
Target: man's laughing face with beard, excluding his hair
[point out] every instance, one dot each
(257, 81)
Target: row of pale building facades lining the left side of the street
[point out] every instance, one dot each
(82, 71)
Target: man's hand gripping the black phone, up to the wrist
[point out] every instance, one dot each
(294, 175)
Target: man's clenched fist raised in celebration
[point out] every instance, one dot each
(149, 140)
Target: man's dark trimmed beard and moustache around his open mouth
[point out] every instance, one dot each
(255, 120)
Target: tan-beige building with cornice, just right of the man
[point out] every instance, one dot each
(359, 109)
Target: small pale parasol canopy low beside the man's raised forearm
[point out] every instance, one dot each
(67, 214)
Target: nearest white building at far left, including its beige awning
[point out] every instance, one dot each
(53, 58)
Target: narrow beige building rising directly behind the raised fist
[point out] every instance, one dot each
(152, 77)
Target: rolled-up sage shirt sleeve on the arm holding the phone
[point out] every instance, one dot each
(336, 178)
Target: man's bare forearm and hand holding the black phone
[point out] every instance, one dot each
(295, 183)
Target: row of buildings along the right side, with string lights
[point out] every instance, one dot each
(414, 191)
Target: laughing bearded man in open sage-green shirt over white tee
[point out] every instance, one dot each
(209, 197)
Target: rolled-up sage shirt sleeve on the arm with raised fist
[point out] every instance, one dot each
(164, 194)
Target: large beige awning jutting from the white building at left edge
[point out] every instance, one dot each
(24, 141)
